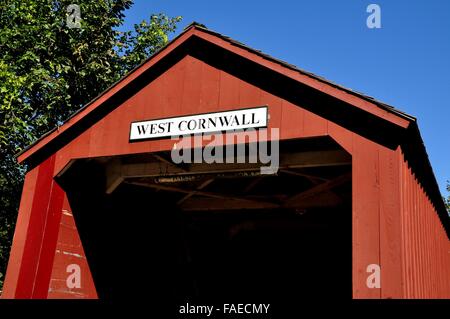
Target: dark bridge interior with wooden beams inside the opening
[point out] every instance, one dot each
(222, 232)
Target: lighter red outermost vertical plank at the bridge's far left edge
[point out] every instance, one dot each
(20, 234)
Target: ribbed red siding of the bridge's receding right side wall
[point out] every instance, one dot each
(426, 248)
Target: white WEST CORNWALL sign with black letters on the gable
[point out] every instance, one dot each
(201, 123)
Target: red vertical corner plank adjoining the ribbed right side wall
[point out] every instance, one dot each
(390, 225)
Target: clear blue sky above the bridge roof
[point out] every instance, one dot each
(406, 63)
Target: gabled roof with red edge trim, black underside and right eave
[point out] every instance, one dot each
(399, 122)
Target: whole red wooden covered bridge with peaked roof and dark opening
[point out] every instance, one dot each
(354, 189)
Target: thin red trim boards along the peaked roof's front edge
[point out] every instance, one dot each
(358, 100)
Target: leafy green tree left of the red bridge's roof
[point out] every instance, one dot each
(49, 70)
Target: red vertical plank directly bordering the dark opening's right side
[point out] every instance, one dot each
(366, 193)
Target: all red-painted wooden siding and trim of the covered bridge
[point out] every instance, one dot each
(394, 223)
